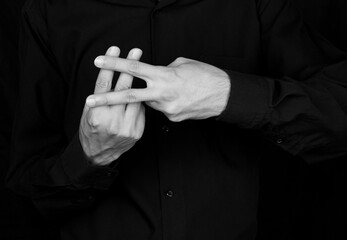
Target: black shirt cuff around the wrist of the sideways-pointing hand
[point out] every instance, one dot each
(247, 105)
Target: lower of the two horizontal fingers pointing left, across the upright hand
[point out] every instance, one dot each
(121, 97)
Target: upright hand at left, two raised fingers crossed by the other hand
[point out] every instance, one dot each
(106, 132)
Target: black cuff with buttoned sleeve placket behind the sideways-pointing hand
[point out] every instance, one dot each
(249, 107)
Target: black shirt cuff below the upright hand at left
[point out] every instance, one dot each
(81, 172)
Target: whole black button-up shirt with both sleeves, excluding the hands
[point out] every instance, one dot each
(187, 180)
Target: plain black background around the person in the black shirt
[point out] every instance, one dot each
(297, 201)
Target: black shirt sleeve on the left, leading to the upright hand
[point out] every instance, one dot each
(47, 165)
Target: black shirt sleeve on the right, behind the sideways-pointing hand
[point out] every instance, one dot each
(300, 102)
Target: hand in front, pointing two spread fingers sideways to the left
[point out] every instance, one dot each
(185, 89)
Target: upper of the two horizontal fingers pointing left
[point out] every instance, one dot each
(135, 68)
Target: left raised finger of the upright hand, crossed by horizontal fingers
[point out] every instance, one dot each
(104, 80)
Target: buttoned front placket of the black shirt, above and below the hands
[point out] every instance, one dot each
(171, 191)
